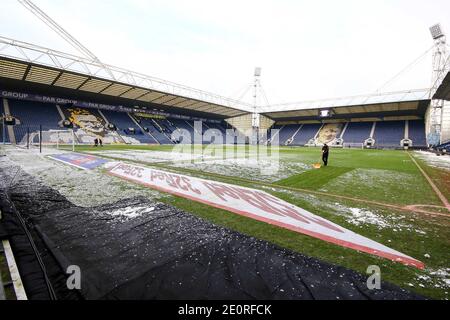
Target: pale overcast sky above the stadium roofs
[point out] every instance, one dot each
(307, 49)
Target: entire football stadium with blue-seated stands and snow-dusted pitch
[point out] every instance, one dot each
(119, 185)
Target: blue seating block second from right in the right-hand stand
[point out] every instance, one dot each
(388, 134)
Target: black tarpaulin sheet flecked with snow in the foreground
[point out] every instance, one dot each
(136, 249)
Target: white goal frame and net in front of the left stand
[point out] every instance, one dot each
(39, 138)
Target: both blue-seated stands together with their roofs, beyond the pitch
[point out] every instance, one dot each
(47, 90)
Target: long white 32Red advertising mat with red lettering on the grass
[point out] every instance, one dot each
(258, 205)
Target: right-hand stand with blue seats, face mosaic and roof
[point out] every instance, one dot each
(391, 124)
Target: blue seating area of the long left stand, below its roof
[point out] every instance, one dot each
(134, 128)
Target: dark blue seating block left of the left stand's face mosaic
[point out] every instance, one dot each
(32, 115)
